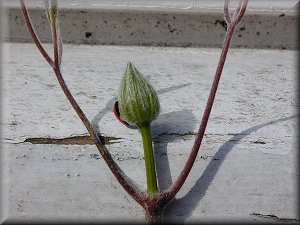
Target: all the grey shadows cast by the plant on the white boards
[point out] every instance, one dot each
(180, 123)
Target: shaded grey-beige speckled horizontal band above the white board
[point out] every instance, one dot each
(163, 28)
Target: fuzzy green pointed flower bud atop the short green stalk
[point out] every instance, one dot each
(138, 101)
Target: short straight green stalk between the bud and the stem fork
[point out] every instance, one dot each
(149, 159)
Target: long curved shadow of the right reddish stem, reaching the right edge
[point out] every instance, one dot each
(186, 205)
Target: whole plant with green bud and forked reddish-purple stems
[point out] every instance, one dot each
(137, 105)
